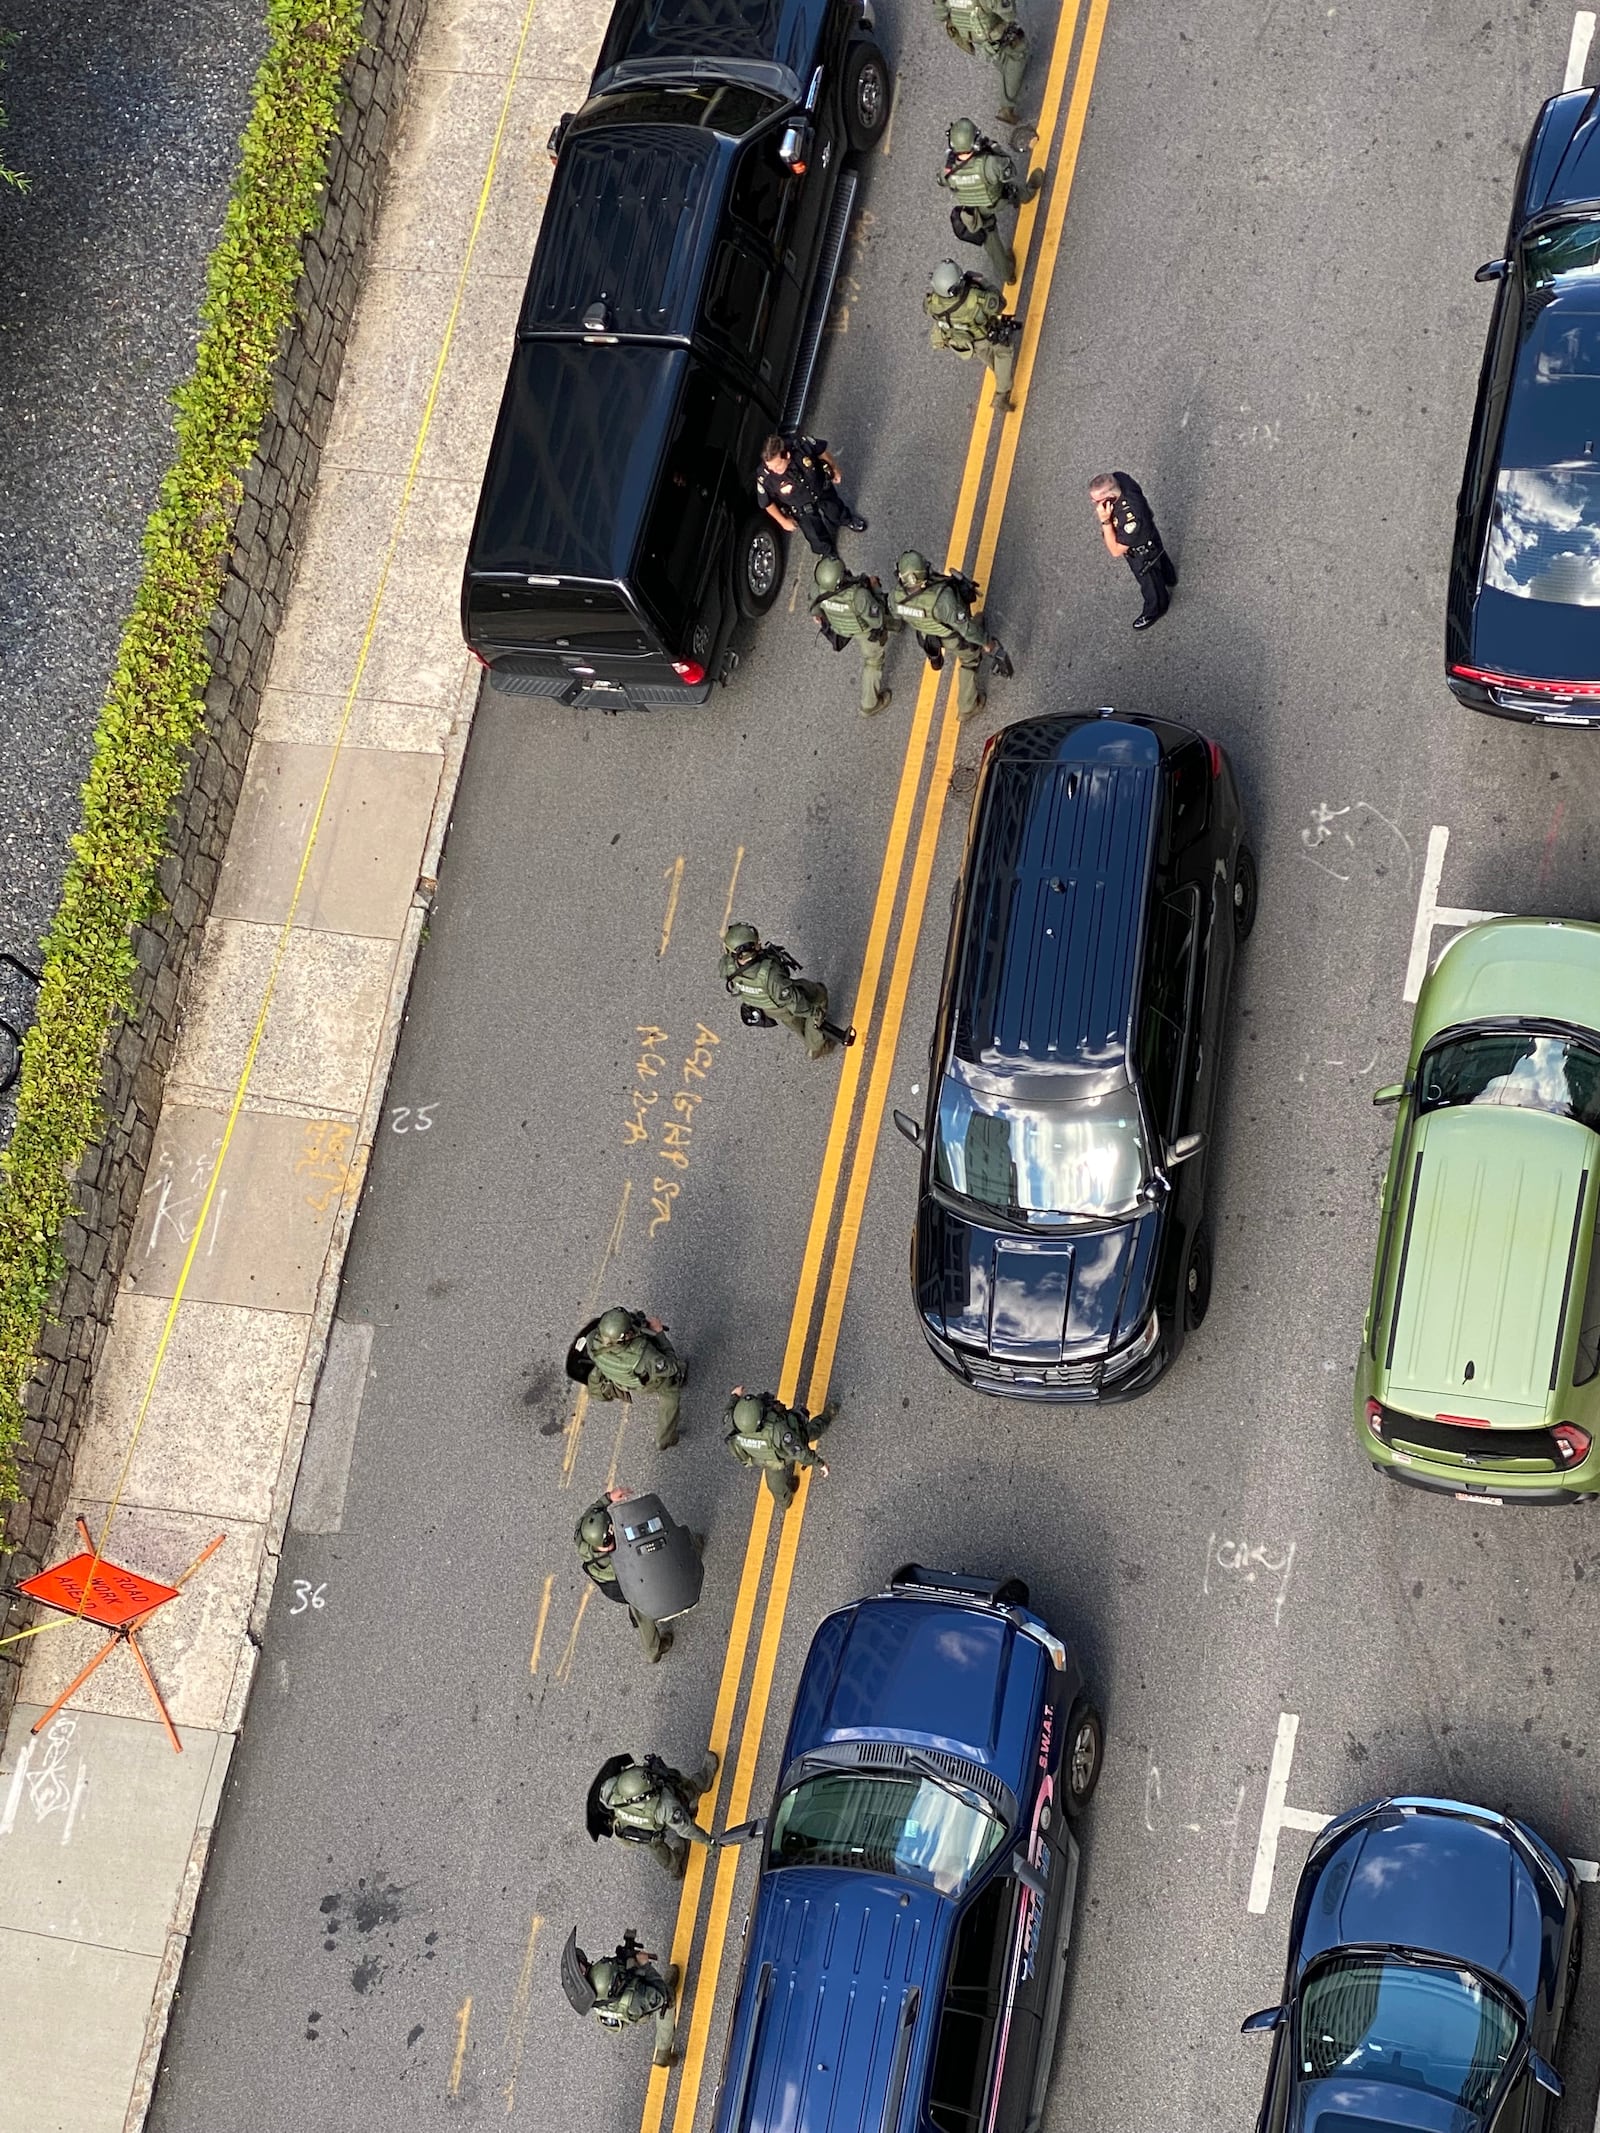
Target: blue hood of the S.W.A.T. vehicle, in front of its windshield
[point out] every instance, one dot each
(925, 1673)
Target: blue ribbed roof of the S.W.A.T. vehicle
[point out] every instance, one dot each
(835, 1957)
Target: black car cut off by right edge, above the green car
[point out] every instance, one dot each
(1524, 615)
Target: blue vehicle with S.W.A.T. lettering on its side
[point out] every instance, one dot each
(908, 1951)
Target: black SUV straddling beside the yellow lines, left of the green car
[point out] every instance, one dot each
(1061, 1249)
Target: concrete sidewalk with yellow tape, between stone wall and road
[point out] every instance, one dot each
(103, 1829)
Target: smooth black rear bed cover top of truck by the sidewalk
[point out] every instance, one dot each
(571, 496)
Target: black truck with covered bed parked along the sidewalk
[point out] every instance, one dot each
(673, 321)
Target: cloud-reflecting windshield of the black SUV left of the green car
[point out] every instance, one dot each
(1068, 1159)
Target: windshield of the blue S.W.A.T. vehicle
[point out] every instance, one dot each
(908, 1827)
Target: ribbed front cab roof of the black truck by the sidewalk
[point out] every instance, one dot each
(630, 227)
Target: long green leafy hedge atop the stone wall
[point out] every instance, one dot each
(155, 701)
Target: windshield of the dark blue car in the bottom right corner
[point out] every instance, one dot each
(1418, 2025)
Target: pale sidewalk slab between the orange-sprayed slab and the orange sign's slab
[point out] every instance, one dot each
(219, 1413)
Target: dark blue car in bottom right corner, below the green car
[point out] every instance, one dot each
(1433, 1959)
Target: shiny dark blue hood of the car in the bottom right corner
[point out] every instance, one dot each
(1433, 1880)
